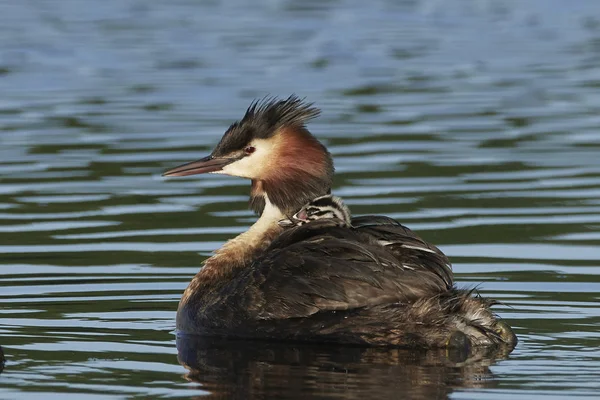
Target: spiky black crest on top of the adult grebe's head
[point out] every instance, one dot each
(262, 120)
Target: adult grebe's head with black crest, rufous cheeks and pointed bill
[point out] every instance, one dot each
(271, 146)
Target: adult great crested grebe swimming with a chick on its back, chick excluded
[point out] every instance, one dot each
(374, 282)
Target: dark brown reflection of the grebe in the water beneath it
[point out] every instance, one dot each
(230, 369)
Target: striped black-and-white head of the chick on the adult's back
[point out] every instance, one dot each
(323, 207)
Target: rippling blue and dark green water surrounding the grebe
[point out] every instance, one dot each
(473, 122)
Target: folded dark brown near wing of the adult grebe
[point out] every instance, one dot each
(319, 267)
